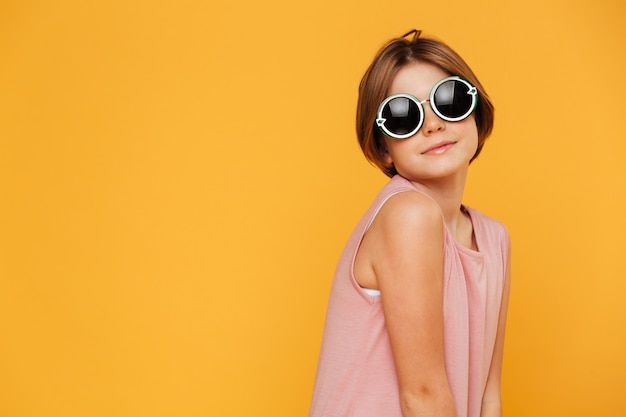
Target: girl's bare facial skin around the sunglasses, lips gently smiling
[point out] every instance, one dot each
(439, 149)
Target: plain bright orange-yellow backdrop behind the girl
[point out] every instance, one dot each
(178, 179)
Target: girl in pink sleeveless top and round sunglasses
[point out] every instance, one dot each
(417, 310)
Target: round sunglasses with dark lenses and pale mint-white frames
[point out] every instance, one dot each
(401, 115)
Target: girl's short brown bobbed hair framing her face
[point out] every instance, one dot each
(377, 80)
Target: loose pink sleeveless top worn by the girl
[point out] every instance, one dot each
(356, 375)
